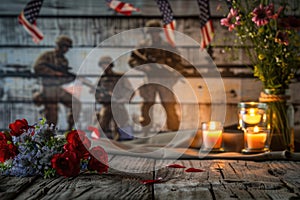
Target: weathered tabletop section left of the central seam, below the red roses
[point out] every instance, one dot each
(123, 181)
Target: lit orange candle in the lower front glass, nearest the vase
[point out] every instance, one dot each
(255, 138)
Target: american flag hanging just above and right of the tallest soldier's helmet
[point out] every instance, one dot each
(168, 20)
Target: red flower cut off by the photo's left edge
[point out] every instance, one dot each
(7, 148)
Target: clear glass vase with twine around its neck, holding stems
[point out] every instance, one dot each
(280, 118)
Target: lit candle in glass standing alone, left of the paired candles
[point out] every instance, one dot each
(212, 135)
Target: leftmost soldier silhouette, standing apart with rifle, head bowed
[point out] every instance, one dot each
(53, 68)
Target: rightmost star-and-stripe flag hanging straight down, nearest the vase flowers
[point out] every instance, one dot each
(207, 29)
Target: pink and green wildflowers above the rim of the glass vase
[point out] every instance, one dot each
(265, 26)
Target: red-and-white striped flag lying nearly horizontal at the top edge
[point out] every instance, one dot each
(122, 7)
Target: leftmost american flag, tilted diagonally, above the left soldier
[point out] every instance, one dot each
(28, 19)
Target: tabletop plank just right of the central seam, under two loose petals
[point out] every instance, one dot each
(180, 184)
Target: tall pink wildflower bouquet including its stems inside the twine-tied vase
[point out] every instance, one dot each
(274, 53)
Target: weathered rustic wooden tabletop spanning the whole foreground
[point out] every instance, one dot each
(221, 179)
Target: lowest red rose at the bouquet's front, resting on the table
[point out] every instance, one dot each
(66, 164)
